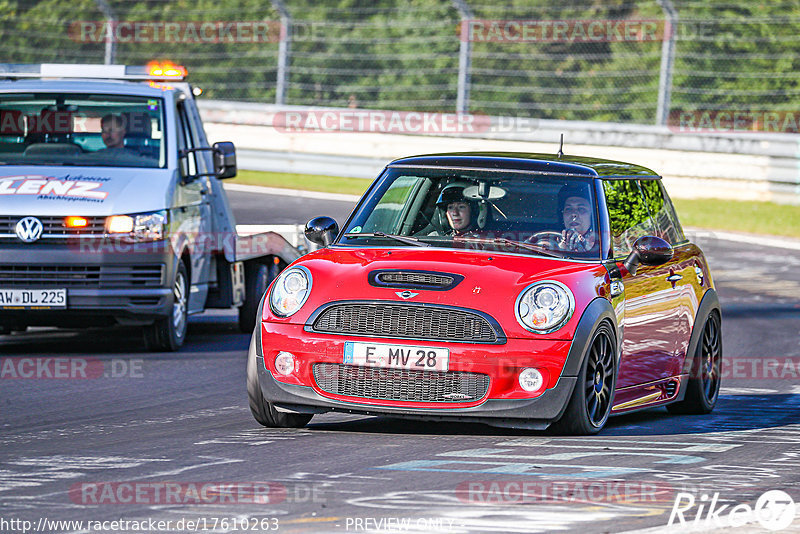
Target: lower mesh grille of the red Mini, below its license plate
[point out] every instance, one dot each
(400, 384)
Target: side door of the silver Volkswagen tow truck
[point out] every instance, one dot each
(194, 212)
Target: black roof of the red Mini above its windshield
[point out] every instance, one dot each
(539, 163)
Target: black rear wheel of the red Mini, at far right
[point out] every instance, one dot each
(702, 389)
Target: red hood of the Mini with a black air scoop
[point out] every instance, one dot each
(491, 284)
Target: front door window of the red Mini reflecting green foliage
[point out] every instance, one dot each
(628, 214)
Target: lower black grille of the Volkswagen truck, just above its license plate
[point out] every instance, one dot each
(87, 276)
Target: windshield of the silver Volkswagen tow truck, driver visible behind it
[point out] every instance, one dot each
(81, 129)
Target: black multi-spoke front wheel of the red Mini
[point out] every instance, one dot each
(590, 404)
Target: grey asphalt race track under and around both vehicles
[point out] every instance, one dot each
(169, 437)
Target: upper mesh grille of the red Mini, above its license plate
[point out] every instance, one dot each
(406, 321)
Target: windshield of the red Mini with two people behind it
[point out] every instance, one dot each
(483, 209)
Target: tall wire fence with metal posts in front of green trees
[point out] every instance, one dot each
(619, 60)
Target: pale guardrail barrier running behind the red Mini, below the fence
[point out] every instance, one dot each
(748, 166)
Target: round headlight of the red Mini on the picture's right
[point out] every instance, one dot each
(544, 307)
